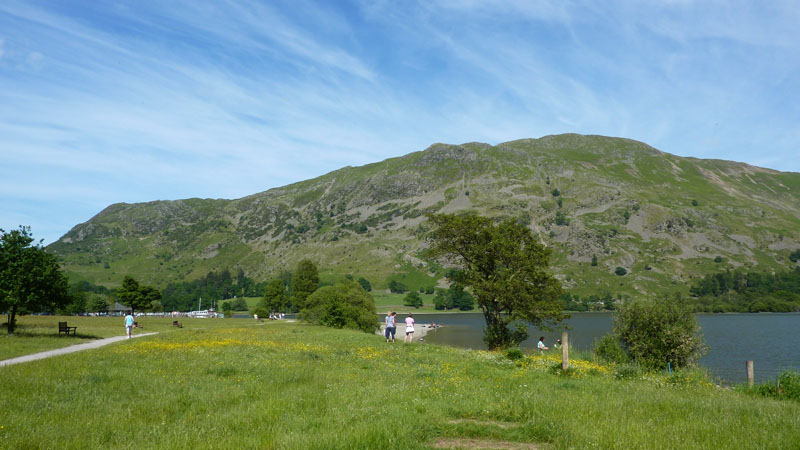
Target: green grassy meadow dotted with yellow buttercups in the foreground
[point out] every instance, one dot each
(242, 384)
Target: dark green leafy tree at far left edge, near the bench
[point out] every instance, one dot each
(30, 278)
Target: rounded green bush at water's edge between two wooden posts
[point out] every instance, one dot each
(655, 333)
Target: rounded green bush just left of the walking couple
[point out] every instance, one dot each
(343, 305)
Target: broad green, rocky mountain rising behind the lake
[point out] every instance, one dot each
(665, 219)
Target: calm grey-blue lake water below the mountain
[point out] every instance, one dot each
(772, 341)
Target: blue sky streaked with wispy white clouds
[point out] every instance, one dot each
(132, 101)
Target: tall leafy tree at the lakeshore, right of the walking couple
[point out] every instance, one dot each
(507, 269)
